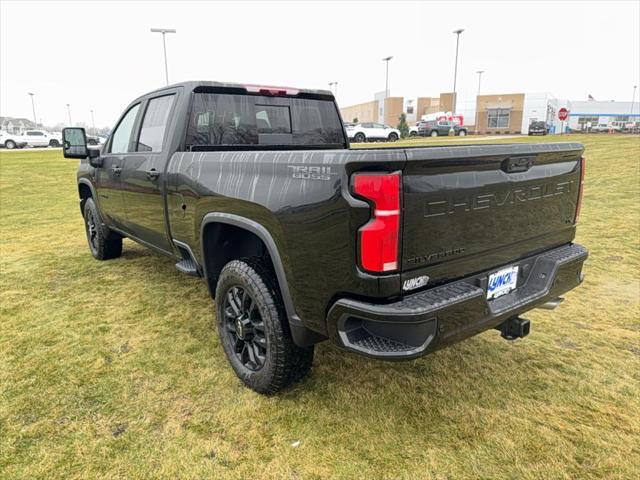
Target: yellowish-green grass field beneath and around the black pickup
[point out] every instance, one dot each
(113, 370)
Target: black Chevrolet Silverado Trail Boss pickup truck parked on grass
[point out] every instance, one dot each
(390, 253)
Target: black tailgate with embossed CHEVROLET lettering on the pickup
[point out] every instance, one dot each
(471, 208)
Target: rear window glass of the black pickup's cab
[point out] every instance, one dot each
(254, 121)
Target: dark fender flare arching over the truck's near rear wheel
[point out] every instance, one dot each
(262, 233)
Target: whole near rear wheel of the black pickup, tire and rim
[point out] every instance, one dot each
(254, 329)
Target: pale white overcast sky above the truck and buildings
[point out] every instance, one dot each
(101, 55)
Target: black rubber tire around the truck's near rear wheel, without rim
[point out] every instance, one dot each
(284, 362)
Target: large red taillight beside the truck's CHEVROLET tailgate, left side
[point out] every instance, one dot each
(379, 239)
